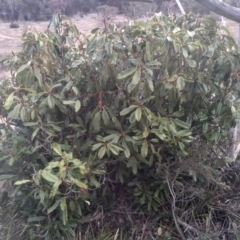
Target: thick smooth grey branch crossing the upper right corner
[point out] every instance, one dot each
(222, 9)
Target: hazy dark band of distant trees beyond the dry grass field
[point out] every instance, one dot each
(12, 10)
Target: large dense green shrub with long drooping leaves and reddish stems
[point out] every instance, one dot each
(122, 119)
